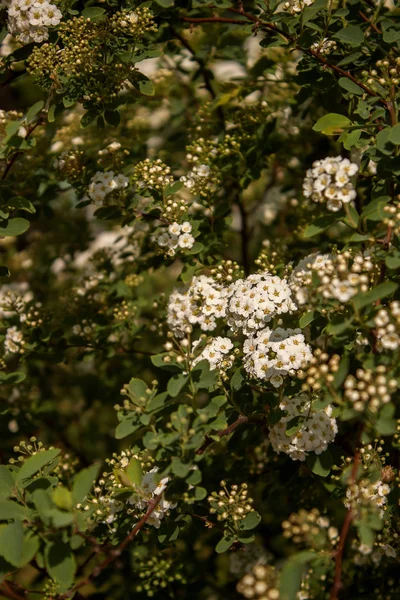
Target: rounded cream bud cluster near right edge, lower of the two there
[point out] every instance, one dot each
(369, 389)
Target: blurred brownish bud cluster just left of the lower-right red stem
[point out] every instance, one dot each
(311, 529)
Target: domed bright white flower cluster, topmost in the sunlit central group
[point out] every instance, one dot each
(254, 301)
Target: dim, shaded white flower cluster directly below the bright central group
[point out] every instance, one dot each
(316, 431)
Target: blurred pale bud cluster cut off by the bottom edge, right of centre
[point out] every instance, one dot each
(262, 583)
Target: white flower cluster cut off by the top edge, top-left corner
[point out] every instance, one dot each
(29, 20)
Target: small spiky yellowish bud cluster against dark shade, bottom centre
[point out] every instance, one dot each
(231, 506)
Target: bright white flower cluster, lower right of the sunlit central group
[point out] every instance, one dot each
(273, 354)
